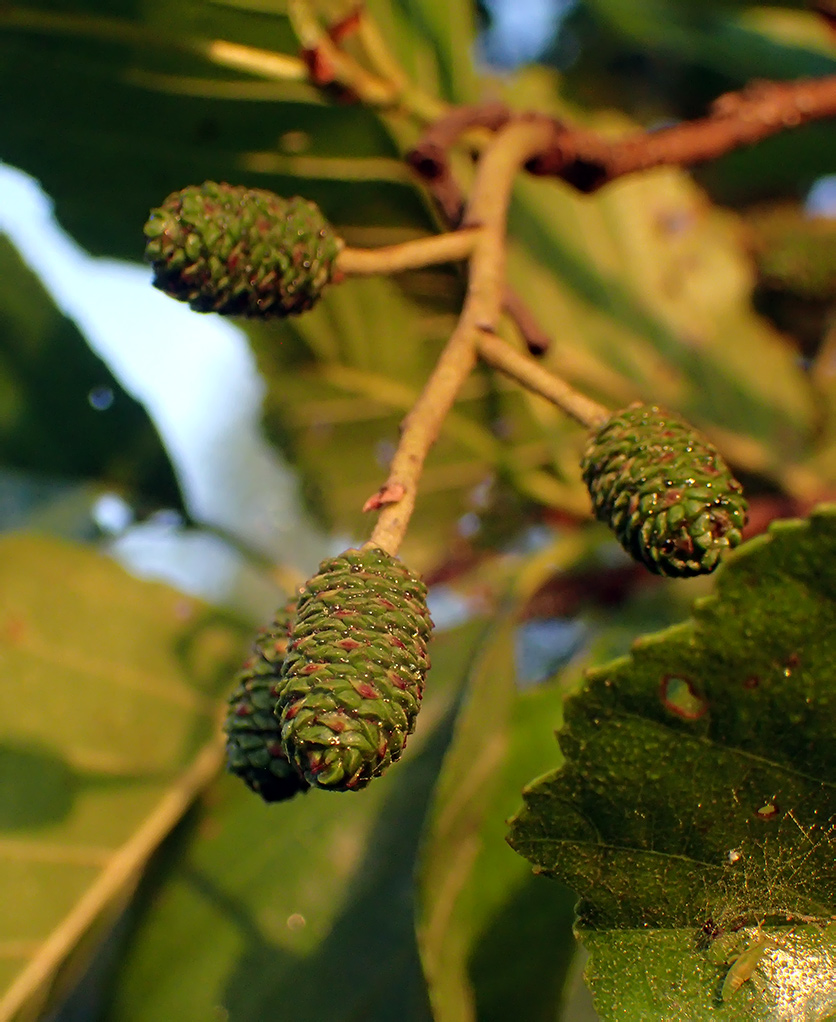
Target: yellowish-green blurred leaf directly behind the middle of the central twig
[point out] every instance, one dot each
(342, 379)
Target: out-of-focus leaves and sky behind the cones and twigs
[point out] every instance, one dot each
(217, 462)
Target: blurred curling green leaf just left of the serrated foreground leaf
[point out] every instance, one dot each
(488, 930)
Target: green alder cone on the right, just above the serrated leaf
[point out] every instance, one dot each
(665, 491)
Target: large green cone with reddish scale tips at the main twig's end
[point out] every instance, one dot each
(354, 675)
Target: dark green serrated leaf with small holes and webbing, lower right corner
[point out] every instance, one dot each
(699, 799)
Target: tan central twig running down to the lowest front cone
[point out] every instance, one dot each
(488, 209)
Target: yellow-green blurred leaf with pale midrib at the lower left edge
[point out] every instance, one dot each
(109, 696)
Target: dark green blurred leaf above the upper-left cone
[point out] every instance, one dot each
(110, 119)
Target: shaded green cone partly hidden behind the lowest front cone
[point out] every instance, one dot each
(254, 736)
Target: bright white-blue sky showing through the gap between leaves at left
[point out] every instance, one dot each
(198, 380)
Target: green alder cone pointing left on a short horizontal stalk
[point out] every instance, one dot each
(241, 252)
